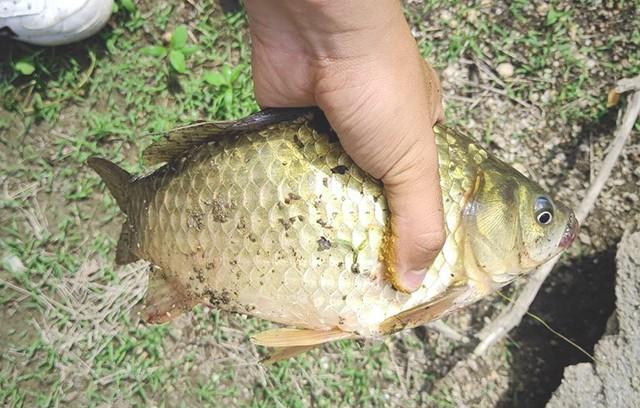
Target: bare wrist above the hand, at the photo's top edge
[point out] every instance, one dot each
(330, 29)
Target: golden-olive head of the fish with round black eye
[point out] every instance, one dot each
(513, 225)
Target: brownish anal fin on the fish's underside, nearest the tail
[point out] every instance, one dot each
(164, 302)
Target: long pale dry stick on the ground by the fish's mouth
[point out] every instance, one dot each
(511, 317)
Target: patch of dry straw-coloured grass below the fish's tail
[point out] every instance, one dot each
(83, 314)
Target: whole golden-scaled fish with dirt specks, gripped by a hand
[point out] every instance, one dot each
(268, 216)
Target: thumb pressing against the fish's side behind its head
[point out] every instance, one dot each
(413, 193)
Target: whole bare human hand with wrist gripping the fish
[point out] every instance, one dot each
(357, 61)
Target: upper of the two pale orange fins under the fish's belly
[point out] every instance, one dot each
(286, 337)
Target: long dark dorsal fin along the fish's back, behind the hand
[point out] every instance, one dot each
(179, 141)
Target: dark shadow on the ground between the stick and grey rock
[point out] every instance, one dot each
(576, 300)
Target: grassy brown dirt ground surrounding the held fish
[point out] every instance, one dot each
(528, 79)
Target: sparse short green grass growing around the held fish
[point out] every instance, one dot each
(107, 96)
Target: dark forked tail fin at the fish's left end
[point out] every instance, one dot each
(118, 182)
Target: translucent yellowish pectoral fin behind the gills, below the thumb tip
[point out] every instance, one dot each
(451, 300)
